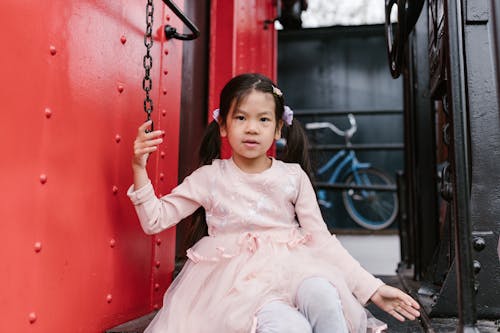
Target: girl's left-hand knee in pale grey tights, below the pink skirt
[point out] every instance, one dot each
(279, 317)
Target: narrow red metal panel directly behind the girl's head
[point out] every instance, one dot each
(239, 43)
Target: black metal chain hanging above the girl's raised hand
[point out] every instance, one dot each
(147, 61)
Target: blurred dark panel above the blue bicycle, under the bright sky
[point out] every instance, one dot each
(342, 68)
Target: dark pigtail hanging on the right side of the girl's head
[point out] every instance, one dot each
(296, 149)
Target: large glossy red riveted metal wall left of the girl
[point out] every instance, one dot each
(75, 256)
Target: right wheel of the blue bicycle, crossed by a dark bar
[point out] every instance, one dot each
(371, 209)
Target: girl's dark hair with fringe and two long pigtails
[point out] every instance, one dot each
(234, 92)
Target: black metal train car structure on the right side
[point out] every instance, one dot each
(446, 52)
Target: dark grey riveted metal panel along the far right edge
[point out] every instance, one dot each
(483, 121)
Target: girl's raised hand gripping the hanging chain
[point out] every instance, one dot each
(145, 144)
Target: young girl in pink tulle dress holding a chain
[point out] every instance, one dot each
(268, 263)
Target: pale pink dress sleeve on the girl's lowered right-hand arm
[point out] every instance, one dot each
(361, 283)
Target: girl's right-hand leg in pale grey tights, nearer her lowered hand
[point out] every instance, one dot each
(319, 301)
